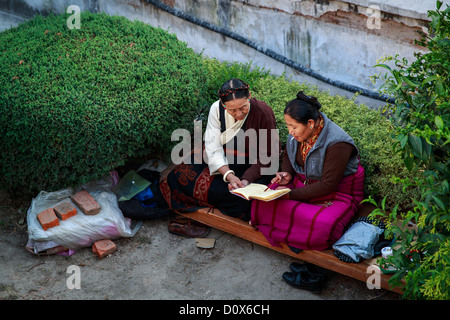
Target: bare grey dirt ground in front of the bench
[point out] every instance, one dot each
(155, 265)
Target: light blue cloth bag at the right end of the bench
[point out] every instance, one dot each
(358, 241)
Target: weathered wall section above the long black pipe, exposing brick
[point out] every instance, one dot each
(331, 37)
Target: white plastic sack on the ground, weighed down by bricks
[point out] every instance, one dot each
(80, 230)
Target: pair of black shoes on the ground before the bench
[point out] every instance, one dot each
(305, 276)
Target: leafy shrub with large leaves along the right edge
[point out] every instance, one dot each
(421, 115)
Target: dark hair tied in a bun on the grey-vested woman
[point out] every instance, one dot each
(303, 108)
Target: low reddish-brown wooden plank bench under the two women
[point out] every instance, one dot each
(325, 259)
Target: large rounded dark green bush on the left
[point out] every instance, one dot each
(75, 104)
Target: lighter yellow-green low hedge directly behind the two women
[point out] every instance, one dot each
(368, 127)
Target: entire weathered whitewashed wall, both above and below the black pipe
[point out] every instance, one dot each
(340, 39)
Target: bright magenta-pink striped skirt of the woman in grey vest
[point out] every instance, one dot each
(315, 225)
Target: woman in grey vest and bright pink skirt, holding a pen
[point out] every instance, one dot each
(321, 166)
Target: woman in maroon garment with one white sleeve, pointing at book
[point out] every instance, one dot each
(233, 156)
